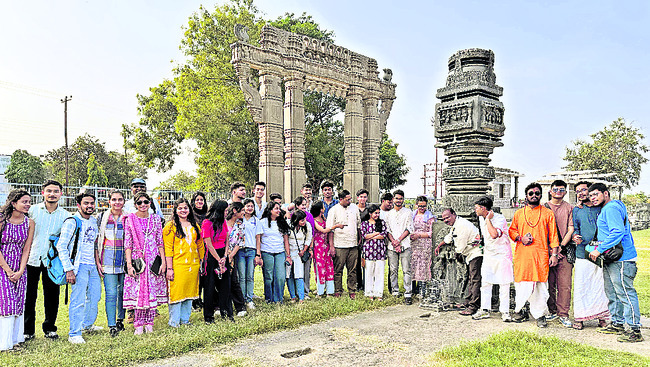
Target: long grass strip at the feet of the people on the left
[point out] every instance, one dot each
(102, 350)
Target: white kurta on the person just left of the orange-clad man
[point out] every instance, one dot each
(497, 253)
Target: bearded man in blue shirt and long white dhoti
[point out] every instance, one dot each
(589, 299)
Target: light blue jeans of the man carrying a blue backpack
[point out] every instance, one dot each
(84, 299)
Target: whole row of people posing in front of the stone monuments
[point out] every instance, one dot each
(204, 256)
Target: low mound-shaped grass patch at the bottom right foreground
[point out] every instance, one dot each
(517, 348)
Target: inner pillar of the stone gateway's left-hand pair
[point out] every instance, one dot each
(294, 138)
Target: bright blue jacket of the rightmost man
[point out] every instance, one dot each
(614, 228)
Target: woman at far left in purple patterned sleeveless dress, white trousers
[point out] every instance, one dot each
(16, 234)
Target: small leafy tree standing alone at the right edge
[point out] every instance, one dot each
(617, 148)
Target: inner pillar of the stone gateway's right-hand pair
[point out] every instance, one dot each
(353, 140)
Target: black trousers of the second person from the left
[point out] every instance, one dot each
(50, 300)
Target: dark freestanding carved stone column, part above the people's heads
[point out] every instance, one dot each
(468, 126)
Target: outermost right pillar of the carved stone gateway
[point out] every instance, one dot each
(371, 142)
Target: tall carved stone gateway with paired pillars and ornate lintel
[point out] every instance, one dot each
(299, 63)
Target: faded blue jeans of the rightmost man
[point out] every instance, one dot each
(619, 288)
